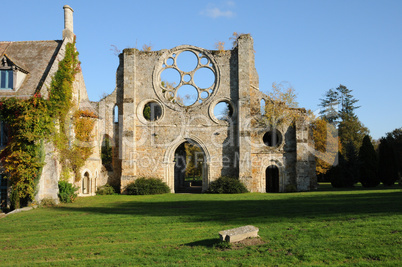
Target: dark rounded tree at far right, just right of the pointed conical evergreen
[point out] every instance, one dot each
(388, 168)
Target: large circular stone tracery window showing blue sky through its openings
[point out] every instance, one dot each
(185, 76)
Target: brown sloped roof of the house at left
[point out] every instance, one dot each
(36, 57)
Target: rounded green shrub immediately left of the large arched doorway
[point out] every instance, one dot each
(147, 186)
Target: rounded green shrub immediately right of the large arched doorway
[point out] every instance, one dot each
(227, 185)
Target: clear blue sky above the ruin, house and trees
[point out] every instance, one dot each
(312, 45)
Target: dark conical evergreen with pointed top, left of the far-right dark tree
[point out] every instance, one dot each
(368, 164)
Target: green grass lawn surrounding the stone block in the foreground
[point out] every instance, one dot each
(348, 227)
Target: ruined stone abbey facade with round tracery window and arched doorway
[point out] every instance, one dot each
(182, 104)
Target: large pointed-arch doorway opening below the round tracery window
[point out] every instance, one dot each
(189, 173)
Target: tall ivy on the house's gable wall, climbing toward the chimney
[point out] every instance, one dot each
(74, 150)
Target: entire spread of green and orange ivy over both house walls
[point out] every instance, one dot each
(33, 121)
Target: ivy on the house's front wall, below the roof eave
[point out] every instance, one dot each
(28, 121)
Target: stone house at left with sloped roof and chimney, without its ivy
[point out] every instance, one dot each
(27, 68)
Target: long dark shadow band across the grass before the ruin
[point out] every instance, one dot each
(267, 207)
